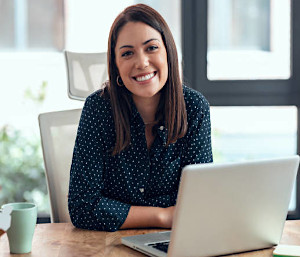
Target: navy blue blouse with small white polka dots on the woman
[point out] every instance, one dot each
(103, 187)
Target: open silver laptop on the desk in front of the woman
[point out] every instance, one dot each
(225, 208)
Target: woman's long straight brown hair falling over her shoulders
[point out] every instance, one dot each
(171, 108)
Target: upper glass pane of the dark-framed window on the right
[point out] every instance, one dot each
(248, 39)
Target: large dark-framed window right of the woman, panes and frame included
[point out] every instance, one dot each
(216, 58)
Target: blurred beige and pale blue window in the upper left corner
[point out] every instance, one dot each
(31, 25)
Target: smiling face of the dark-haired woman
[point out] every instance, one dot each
(141, 58)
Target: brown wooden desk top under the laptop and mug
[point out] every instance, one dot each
(62, 239)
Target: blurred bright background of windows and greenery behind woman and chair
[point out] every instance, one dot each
(236, 52)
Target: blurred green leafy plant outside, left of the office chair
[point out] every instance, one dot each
(22, 176)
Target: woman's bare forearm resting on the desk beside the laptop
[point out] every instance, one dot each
(147, 216)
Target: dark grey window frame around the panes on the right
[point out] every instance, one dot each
(273, 92)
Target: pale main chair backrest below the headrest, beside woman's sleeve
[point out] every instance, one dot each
(58, 132)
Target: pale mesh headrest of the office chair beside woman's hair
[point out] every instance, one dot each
(86, 73)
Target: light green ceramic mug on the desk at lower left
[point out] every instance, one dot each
(23, 221)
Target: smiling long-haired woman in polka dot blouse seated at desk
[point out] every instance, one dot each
(136, 135)
